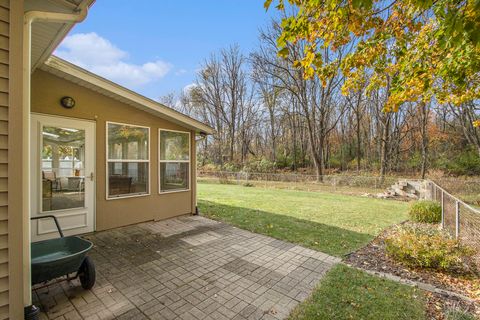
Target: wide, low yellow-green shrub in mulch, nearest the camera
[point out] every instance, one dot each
(428, 247)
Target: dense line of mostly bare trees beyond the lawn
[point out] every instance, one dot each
(267, 116)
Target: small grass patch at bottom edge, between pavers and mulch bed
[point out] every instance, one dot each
(347, 293)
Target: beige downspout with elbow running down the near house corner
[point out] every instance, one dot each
(31, 312)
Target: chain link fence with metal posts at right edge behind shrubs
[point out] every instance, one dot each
(458, 218)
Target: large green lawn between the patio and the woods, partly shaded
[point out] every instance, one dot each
(332, 223)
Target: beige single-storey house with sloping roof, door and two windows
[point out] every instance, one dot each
(75, 145)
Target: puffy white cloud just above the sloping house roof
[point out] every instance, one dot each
(100, 56)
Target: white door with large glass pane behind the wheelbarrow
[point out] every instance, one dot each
(62, 175)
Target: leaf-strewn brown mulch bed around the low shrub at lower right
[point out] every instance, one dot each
(374, 258)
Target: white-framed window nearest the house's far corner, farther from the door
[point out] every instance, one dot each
(174, 160)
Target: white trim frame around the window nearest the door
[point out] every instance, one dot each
(107, 160)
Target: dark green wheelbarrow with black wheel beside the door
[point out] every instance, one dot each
(64, 256)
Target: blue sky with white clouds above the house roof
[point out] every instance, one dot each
(155, 47)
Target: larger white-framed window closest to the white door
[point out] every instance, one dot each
(128, 160)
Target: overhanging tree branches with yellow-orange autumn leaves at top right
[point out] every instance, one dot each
(419, 50)
